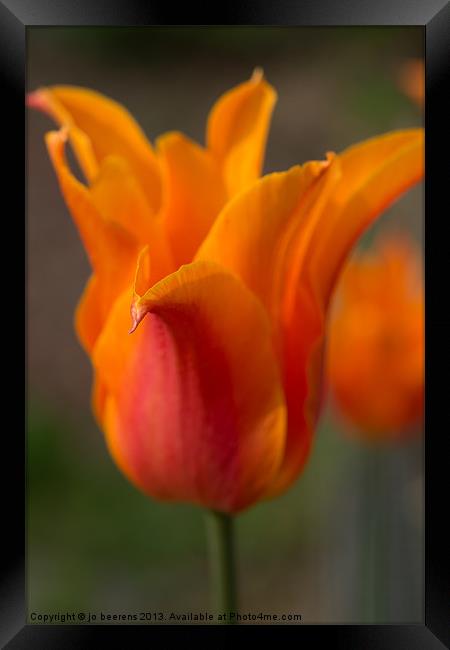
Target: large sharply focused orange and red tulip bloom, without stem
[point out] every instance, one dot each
(214, 396)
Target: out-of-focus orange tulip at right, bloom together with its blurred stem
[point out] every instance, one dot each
(376, 378)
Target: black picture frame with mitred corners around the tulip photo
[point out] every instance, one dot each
(434, 16)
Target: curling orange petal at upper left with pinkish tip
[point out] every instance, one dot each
(110, 129)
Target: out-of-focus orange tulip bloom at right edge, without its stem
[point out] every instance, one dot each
(376, 345)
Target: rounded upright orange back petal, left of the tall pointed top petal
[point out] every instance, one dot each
(193, 193)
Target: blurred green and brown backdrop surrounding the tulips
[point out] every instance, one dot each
(94, 542)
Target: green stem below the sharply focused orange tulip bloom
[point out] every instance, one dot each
(222, 564)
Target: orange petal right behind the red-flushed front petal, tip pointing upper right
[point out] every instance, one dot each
(258, 232)
